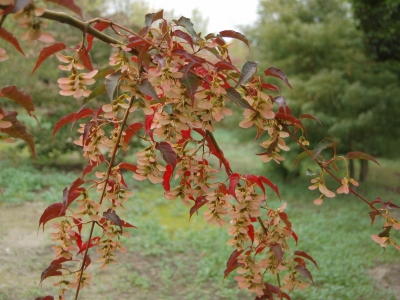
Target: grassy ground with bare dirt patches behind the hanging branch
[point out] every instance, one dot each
(171, 257)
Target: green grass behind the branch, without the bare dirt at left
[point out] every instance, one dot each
(172, 257)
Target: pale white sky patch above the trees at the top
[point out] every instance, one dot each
(222, 14)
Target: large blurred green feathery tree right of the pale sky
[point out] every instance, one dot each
(318, 45)
